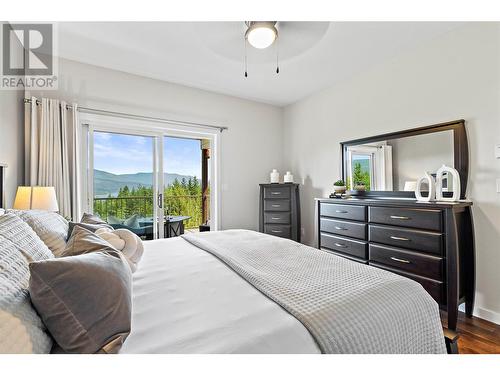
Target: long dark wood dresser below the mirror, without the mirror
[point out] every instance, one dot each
(431, 243)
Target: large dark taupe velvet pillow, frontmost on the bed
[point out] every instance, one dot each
(84, 301)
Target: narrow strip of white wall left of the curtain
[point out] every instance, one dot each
(12, 141)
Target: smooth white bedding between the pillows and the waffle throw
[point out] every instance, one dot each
(187, 301)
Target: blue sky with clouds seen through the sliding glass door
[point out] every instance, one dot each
(125, 154)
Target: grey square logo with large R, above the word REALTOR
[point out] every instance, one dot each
(27, 49)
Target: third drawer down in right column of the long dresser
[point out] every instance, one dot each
(410, 261)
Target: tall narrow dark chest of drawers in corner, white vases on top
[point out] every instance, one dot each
(279, 213)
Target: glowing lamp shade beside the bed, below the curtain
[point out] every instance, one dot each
(36, 198)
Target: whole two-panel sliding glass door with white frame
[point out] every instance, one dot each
(154, 183)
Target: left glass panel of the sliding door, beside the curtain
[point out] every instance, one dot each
(124, 181)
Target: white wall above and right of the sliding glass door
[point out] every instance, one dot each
(250, 148)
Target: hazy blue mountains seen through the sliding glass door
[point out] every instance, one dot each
(106, 183)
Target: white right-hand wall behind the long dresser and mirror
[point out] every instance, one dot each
(453, 77)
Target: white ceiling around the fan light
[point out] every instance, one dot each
(210, 55)
